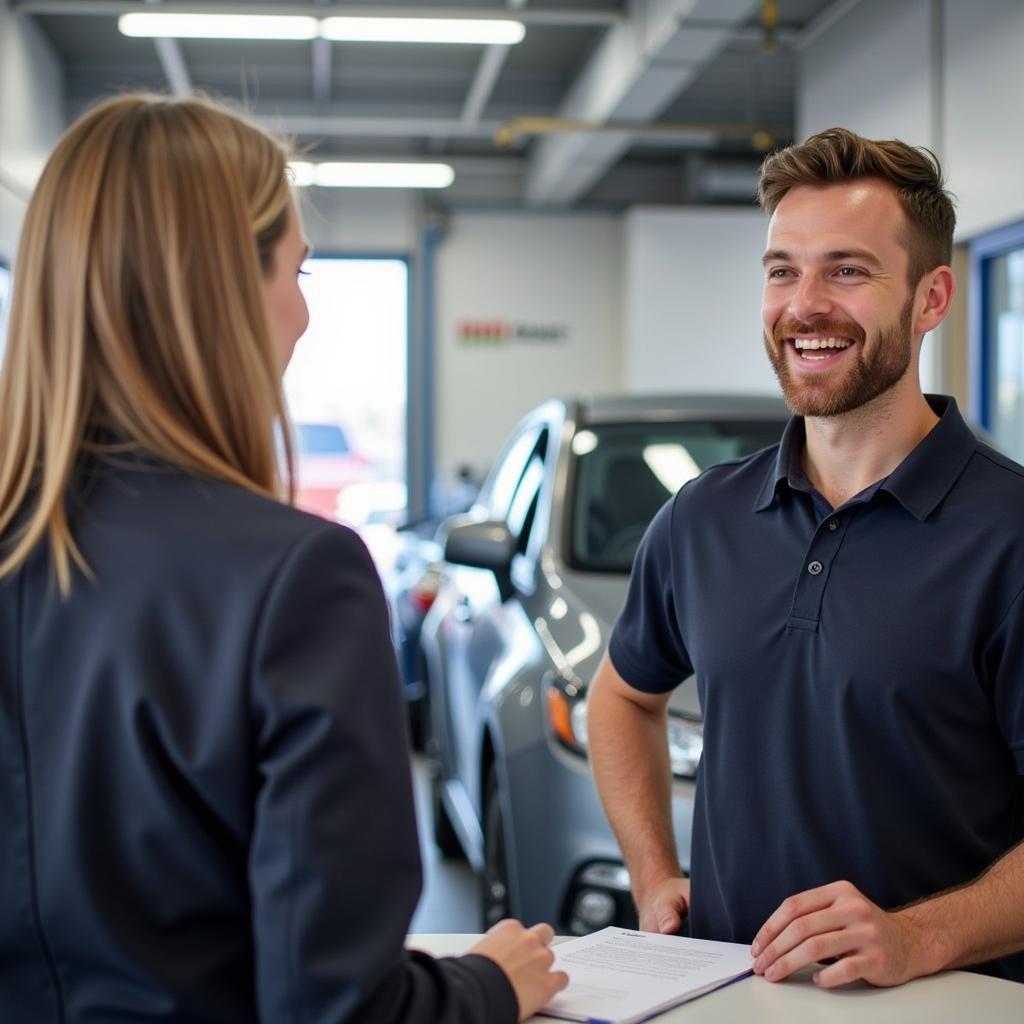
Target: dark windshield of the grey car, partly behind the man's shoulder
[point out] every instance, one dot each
(624, 474)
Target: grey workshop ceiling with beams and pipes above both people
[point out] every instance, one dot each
(669, 101)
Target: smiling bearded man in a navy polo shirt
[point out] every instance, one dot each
(851, 605)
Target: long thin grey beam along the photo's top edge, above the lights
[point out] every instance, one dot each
(596, 17)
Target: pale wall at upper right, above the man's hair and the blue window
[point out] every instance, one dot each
(946, 74)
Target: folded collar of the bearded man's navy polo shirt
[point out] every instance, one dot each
(919, 483)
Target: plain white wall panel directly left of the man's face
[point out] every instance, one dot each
(694, 302)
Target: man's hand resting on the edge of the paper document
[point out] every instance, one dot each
(838, 922)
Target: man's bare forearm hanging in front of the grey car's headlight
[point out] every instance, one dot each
(630, 757)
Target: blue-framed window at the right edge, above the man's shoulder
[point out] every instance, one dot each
(998, 336)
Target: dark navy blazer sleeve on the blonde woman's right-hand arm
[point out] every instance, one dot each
(334, 865)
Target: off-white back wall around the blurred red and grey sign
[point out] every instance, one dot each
(540, 270)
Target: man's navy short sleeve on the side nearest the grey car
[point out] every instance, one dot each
(647, 648)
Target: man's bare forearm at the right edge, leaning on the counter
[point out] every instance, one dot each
(979, 922)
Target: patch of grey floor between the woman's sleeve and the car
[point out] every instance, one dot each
(451, 901)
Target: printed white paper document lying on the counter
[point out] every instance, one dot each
(620, 977)
